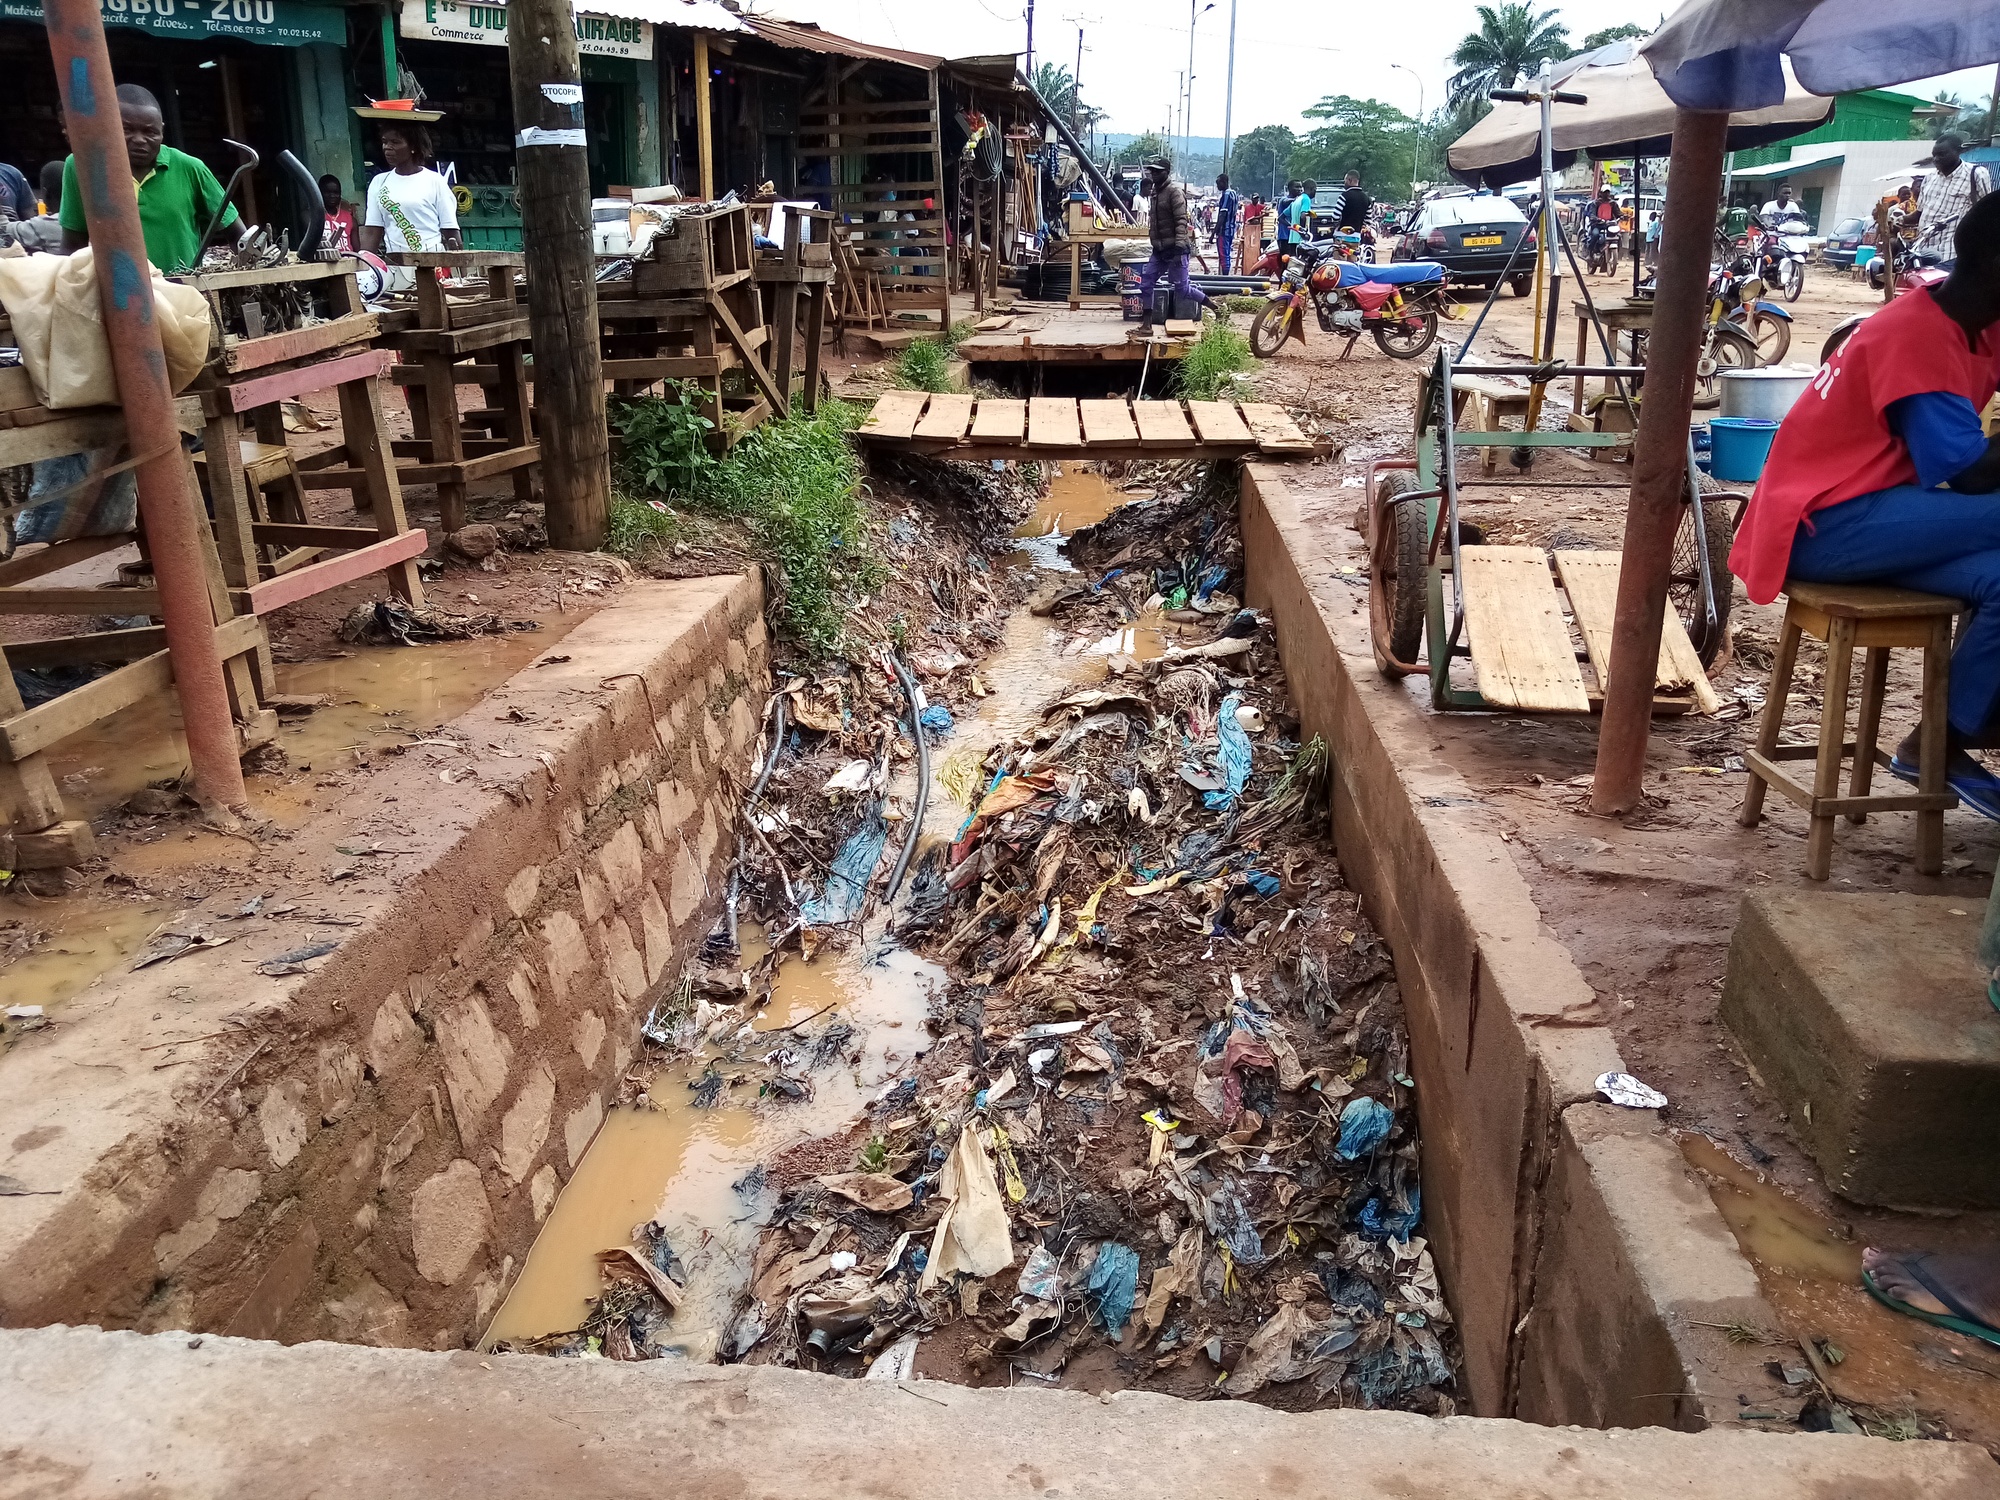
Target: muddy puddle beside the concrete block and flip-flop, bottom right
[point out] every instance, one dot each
(1811, 1275)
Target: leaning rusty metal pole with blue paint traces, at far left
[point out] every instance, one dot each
(169, 505)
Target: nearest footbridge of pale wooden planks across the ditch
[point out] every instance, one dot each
(1049, 427)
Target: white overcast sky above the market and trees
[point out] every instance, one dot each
(1289, 55)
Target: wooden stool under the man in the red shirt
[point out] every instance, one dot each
(1881, 621)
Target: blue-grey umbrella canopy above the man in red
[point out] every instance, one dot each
(1725, 55)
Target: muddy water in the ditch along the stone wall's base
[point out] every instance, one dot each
(693, 1169)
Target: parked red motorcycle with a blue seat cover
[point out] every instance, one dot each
(1397, 303)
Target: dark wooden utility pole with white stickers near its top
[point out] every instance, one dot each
(563, 291)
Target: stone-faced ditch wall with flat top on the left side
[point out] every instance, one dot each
(365, 1153)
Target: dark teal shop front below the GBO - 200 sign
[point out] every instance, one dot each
(267, 73)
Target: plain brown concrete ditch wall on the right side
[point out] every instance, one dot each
(1583, 1261)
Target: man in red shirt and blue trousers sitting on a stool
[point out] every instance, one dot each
(1883, 475)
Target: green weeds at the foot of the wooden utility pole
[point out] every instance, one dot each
(793, 483)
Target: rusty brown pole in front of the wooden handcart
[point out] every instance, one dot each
(1659, 457)
